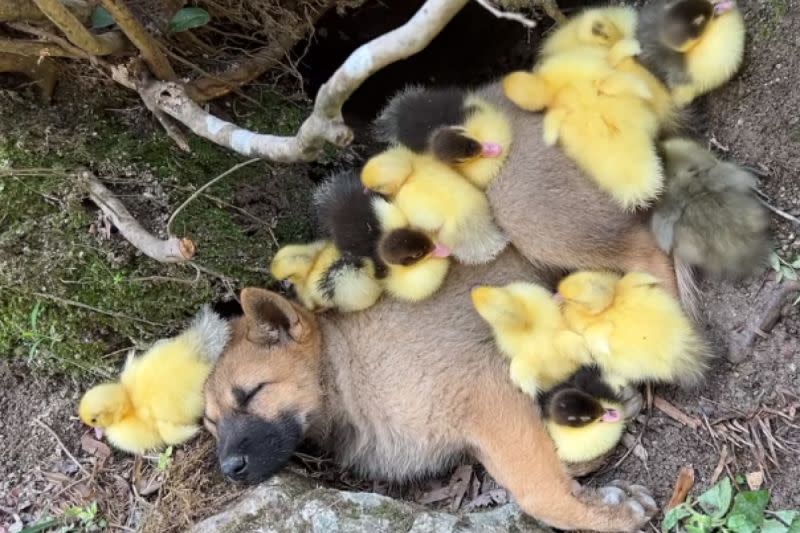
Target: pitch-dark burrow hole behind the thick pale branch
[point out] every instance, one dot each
(474, 48)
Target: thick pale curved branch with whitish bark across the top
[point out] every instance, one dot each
(325, 122)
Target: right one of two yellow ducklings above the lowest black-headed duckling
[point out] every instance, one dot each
(634, 329)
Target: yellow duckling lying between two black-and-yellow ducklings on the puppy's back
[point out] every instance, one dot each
(438, 201)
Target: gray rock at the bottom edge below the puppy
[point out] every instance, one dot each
(289, 503)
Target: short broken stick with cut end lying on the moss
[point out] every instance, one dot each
(171, 250)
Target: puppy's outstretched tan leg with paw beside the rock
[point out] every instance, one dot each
(512, 443)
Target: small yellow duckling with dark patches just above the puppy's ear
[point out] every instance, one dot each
(324, 279)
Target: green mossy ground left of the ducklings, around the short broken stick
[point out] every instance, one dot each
(53, 248)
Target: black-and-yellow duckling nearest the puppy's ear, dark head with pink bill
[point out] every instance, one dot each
(362, 223)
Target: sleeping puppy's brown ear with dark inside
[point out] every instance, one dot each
(271, 318)
